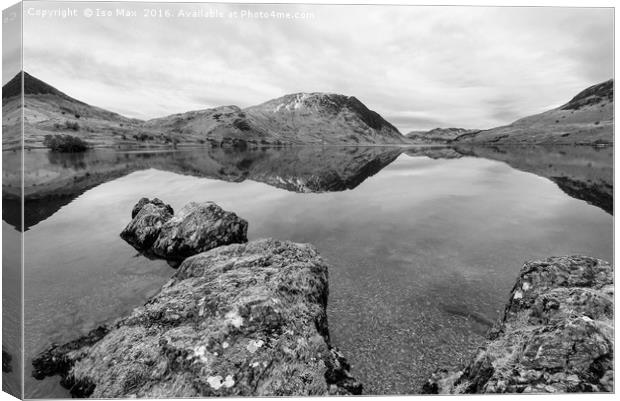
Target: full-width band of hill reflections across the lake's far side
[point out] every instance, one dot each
(53, 180)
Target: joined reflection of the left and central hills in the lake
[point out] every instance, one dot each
(53, 180)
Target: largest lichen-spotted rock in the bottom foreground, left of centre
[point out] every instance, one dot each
(240, 320)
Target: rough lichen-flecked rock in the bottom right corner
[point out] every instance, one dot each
(556, 334)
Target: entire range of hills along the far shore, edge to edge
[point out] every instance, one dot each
(304, 118)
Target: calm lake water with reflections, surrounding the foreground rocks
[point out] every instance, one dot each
(424, 244)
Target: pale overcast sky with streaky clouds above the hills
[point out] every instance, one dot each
(419, 67)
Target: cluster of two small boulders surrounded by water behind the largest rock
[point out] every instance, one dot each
(198, 227)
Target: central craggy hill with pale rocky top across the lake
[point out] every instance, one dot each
(302, 118)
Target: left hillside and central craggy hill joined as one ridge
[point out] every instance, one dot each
(298, 119)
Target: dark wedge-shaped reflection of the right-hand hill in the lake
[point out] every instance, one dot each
(582, 172)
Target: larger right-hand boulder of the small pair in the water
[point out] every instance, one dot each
(197, 228)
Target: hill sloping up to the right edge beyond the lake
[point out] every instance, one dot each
(588, 119)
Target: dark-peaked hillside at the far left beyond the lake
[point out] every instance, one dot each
(49, 111)
